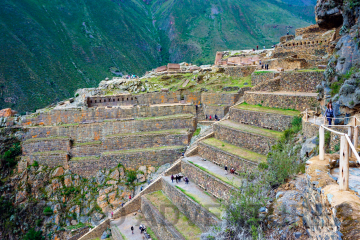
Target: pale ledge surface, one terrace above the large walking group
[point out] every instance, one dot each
(215, 170)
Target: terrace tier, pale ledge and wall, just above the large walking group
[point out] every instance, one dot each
(210, 177)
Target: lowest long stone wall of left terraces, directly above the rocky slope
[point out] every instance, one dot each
(131, 160)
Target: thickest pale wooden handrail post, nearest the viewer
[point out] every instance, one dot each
(344, 165)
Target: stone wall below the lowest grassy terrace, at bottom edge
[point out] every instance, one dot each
(159, 225)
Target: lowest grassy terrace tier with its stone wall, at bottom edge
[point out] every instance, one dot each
(166, 219)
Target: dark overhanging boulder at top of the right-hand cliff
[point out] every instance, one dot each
(328, 13)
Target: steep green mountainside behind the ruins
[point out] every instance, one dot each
(51, 48)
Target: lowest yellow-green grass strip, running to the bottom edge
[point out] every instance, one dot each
(174, 216)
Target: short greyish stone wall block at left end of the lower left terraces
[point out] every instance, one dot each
(45, 145)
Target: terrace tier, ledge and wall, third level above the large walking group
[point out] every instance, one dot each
(250, 137)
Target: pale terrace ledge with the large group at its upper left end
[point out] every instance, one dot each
(199, 195)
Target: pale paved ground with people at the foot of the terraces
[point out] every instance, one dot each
(124, 225)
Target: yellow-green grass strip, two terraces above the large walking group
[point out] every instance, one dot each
(241, 152)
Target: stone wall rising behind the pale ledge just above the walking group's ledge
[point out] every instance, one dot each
(223, 158)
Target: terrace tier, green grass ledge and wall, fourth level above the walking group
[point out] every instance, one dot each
(264, 117)
